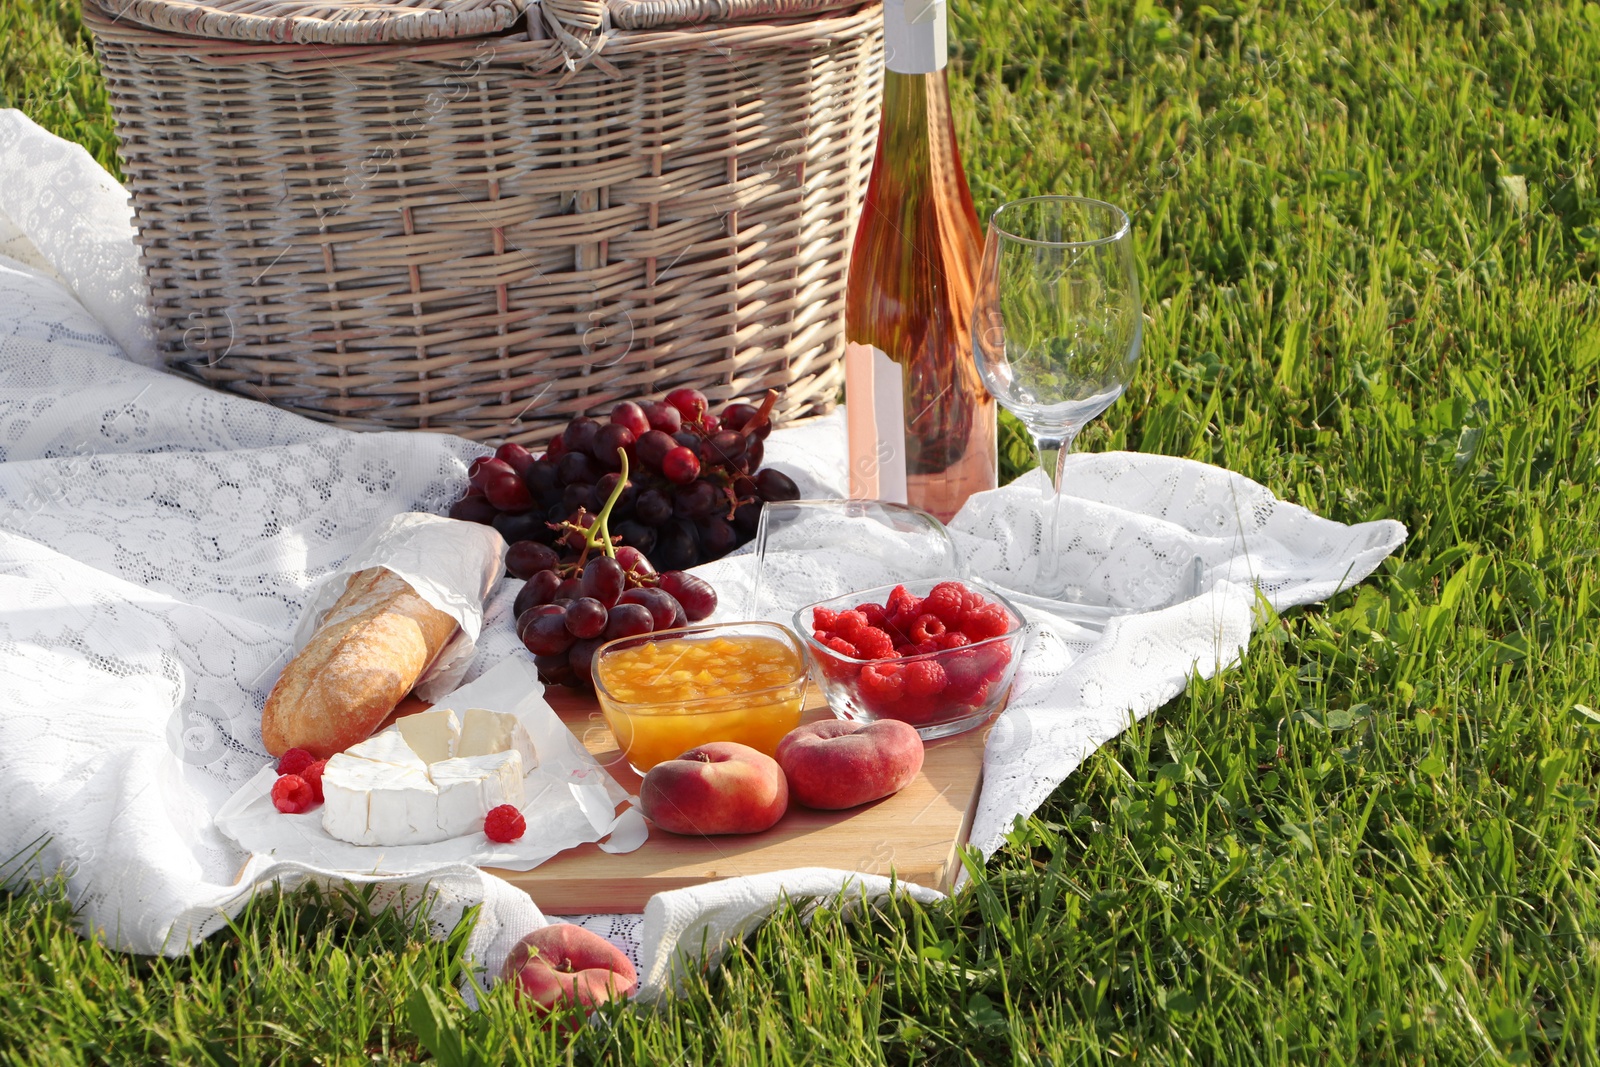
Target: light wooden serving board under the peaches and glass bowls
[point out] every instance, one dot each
(914, 834)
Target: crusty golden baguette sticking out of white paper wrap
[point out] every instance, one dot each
(366, 657)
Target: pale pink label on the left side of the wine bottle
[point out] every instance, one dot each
(876, 412)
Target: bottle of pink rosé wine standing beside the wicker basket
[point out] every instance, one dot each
(922, 428)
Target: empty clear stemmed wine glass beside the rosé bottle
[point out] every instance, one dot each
(1057, 329)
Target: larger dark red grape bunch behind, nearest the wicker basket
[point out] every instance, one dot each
(694, 490)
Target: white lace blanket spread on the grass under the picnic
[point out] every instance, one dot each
(158, 541)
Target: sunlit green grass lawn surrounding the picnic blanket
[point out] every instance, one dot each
(1369, 238)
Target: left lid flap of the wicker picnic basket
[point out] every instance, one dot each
(321, 22)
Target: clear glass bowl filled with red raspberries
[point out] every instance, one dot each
(938, 653)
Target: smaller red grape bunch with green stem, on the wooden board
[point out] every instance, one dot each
(569, 609)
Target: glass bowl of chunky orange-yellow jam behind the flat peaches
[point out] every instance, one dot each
(670, 692)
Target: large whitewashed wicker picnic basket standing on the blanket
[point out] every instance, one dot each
(484, 218)
